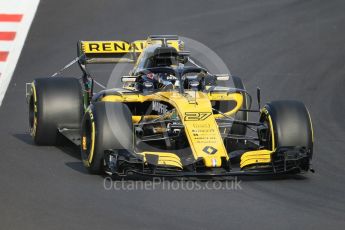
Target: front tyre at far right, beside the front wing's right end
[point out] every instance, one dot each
(289, 125)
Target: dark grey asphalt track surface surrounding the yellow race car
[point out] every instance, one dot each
(291, 49)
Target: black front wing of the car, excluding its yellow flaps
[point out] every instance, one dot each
(283, 161)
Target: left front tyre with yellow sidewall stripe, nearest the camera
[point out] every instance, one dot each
(105, 126)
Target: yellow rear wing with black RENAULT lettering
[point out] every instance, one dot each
(122, 51)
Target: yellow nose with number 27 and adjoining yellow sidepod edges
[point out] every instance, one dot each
(195, 111)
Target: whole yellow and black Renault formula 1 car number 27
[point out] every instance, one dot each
(170, 118)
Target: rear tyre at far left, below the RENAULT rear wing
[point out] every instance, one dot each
(54, 103)
